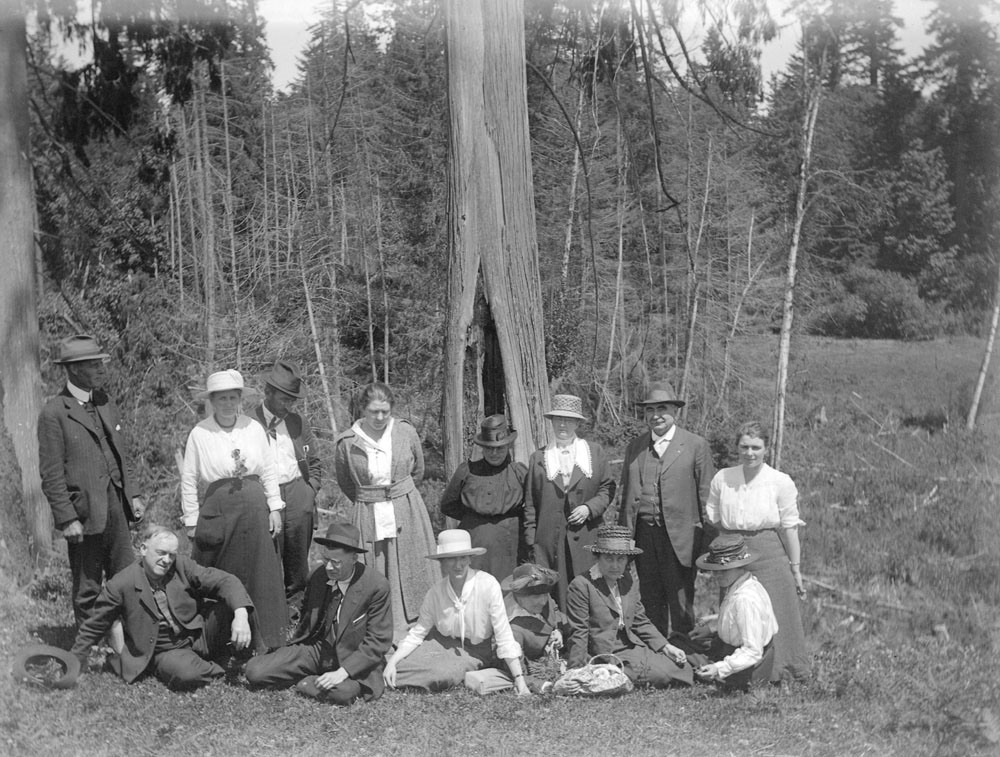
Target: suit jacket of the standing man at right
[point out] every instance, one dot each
(686, 472)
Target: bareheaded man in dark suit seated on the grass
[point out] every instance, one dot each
(169, 630)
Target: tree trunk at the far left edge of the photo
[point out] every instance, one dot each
(22, 502)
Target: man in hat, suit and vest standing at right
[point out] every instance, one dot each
(665, 481)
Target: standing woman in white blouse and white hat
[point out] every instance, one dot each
(240, 513)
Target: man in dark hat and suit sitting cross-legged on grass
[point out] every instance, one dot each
(345, 631)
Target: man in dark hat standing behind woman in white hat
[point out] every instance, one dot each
(299, 474)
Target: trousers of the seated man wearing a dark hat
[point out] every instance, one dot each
(300, 665)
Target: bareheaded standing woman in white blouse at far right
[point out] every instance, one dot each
(760, 503)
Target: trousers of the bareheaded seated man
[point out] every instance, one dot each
(194, 661)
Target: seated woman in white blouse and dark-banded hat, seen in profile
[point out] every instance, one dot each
(741, 649)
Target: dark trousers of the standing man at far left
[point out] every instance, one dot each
(99, 556)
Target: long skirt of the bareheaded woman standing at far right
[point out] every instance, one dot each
(791, 659)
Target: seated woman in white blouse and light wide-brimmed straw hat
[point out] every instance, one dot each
(461, 617)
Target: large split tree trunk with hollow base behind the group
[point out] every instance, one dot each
(492, 221)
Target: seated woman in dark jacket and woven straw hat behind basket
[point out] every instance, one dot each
(606, 616)
